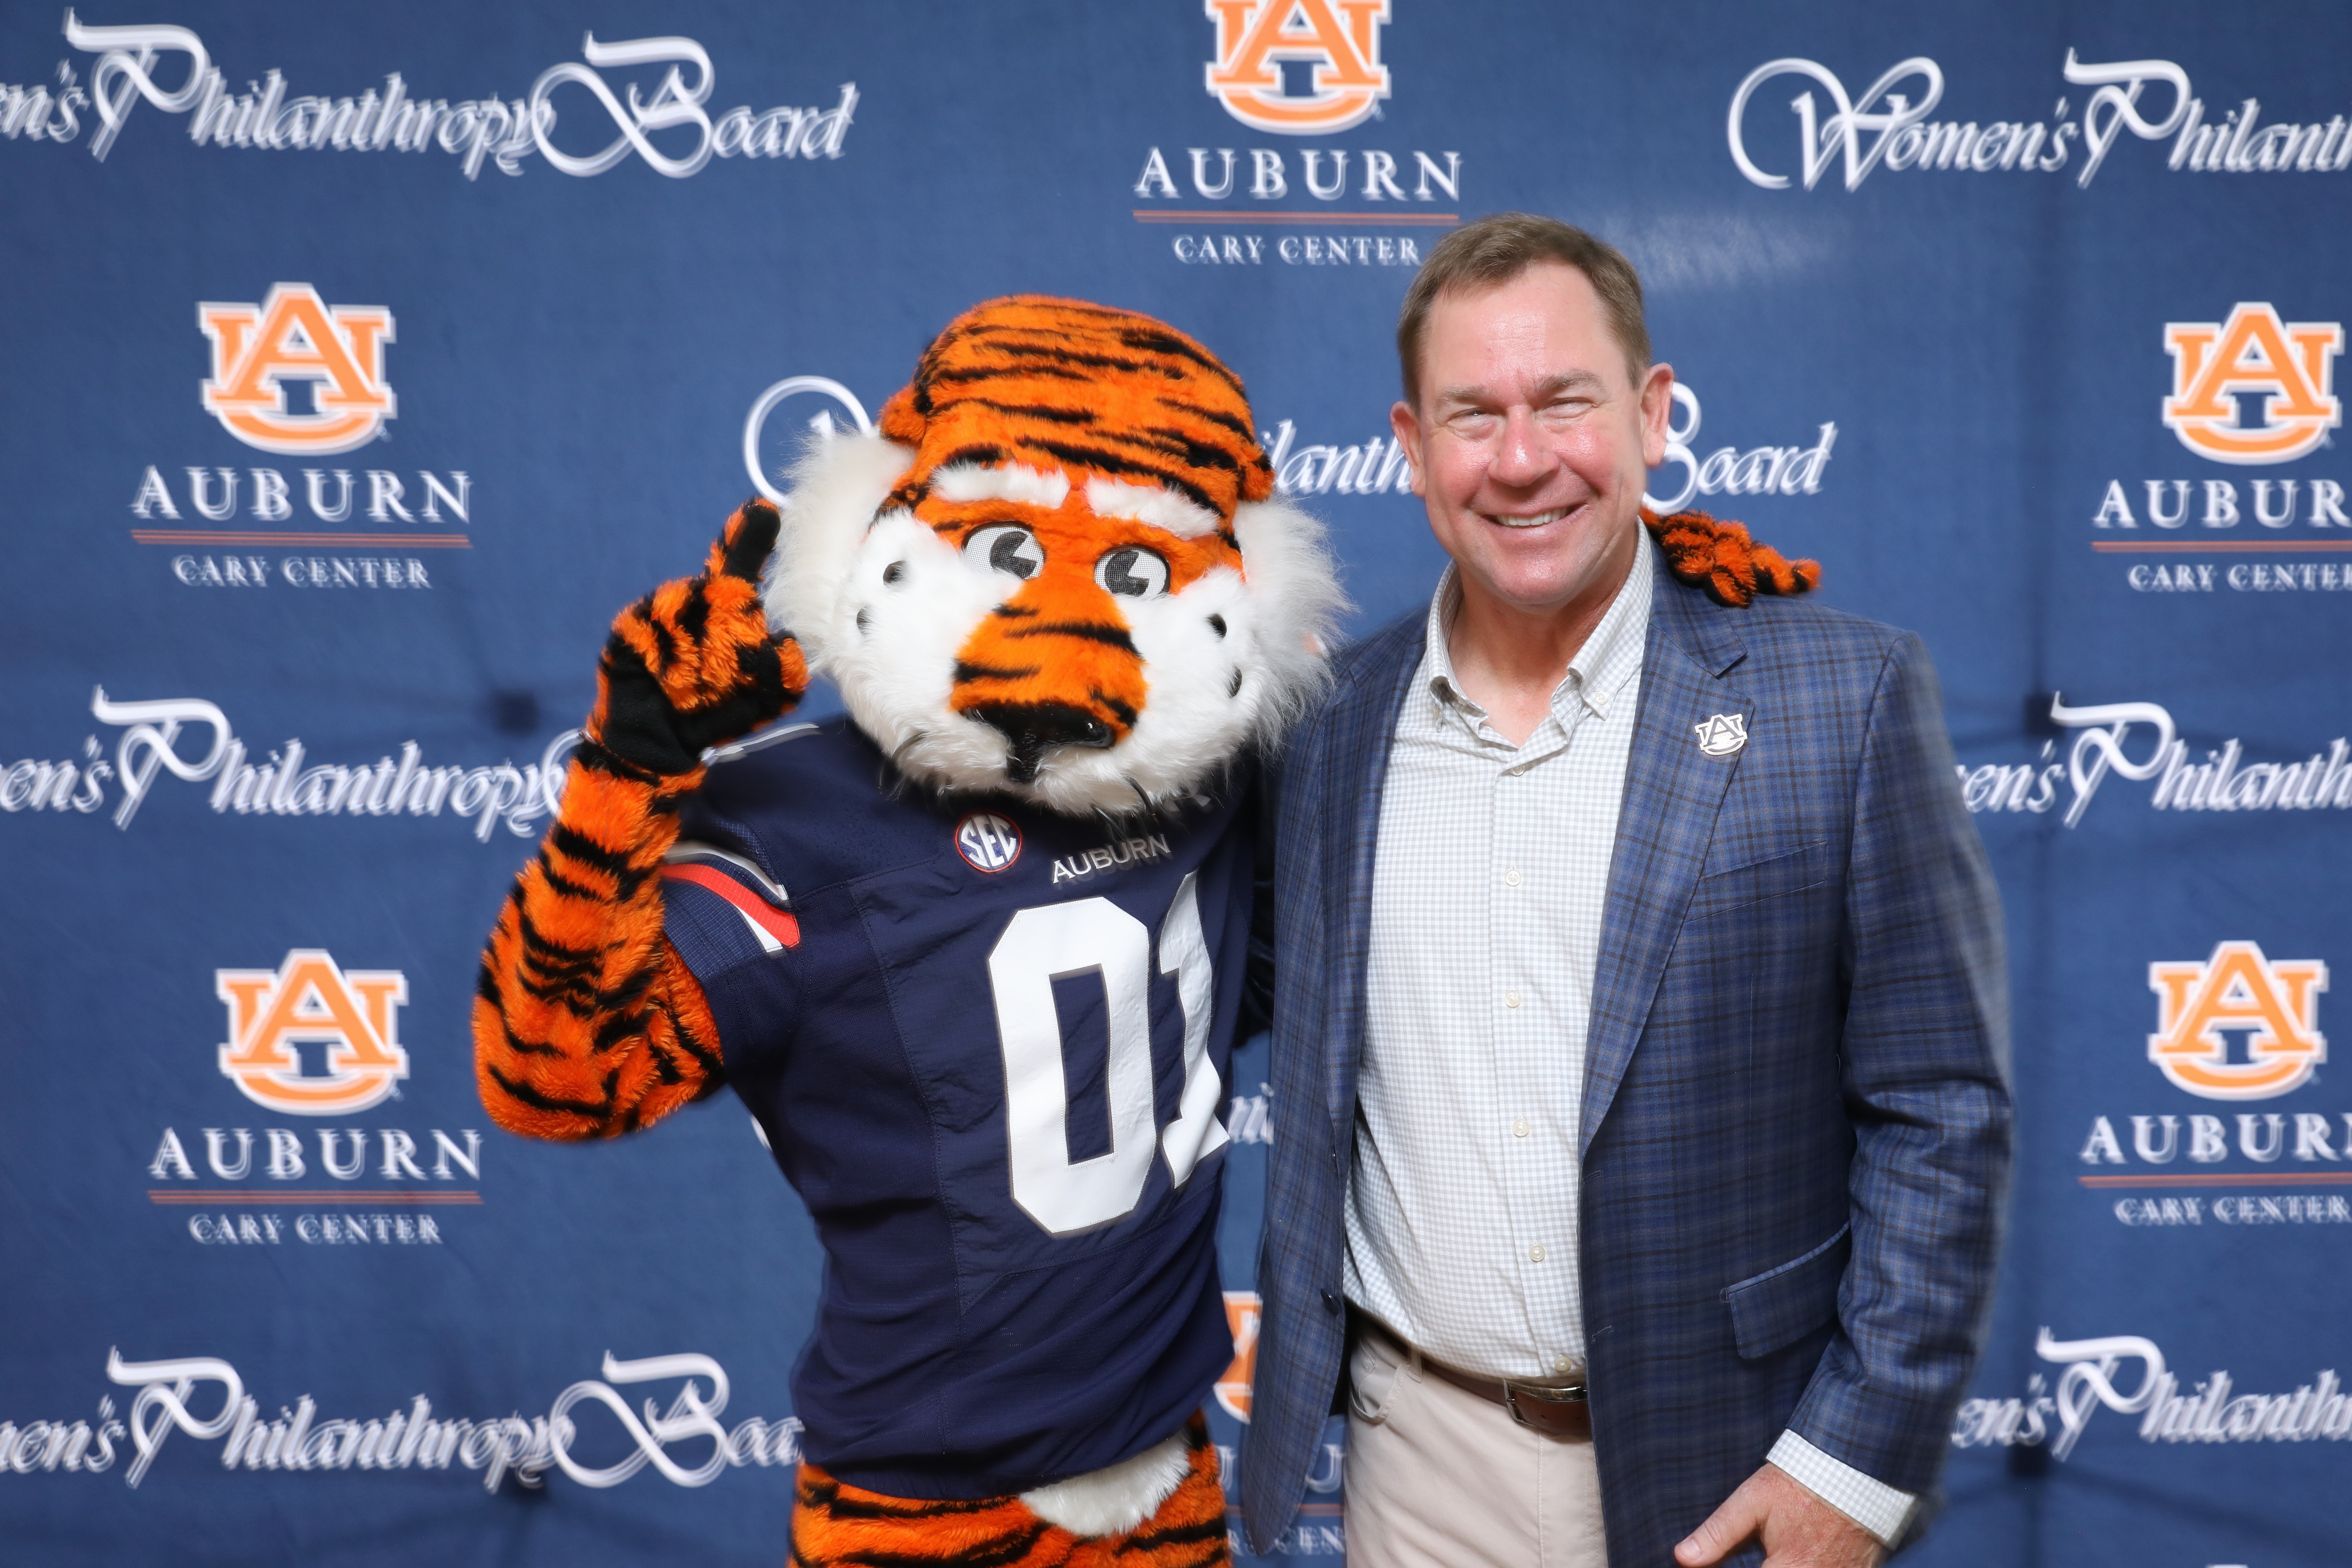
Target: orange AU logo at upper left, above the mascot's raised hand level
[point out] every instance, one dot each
(260, 351)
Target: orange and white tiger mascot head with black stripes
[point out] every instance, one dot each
(1060, 568)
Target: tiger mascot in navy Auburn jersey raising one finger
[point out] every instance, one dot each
(977, 953)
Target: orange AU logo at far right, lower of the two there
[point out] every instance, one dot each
(2273, 1003)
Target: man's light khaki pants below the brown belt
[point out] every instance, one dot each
(1445, 1480)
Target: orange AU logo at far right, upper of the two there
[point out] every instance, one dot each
(2292, 366)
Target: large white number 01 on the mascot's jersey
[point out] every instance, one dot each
(1097, 937)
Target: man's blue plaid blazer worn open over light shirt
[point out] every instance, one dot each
(1796, 1118)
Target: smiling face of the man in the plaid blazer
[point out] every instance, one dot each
(1532, 441)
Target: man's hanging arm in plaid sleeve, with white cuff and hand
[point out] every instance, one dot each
(1925, 1076)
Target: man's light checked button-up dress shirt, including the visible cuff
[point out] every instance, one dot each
(1488, 894)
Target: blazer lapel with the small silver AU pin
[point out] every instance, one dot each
(1673, 791)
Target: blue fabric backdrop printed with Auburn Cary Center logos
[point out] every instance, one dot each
(363, 363)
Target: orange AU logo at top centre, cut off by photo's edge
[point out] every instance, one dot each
(1342, 39)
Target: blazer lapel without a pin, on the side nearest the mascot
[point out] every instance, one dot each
(1354, 770)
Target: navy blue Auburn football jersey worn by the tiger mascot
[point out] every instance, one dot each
(989, 1050)
